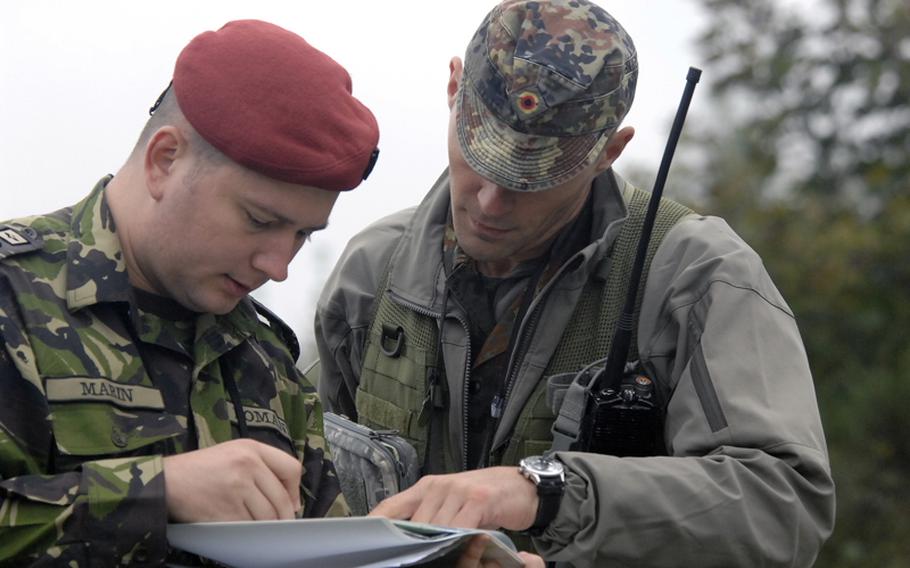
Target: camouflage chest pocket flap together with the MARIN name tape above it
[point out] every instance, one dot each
(99, 418)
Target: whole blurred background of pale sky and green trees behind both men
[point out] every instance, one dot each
(799, 135)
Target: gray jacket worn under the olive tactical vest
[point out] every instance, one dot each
(747, 480)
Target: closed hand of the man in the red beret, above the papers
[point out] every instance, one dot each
(239, 480)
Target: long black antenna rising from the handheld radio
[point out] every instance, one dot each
(616, 361)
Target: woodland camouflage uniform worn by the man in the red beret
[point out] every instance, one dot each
(97, 387)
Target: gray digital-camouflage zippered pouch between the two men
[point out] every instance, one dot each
(371, 464)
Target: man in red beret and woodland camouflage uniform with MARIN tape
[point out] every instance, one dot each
(141, 384)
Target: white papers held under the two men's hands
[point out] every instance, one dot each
(330, 543)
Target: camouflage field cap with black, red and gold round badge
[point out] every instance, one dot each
(545, 84)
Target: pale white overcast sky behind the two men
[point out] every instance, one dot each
(77, 78)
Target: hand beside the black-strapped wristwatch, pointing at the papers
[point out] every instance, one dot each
(491, 498)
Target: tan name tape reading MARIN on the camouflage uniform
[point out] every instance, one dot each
(89, 389)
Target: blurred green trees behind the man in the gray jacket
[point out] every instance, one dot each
(810, 162)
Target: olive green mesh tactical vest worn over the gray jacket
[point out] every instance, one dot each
(394, 377)
